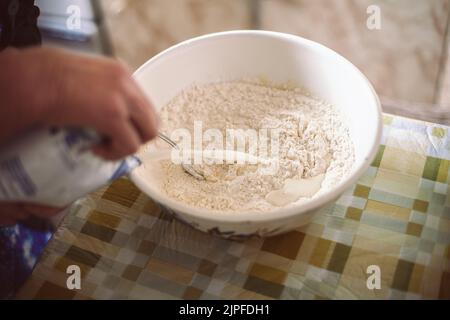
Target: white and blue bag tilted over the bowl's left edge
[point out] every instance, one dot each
(54, 167)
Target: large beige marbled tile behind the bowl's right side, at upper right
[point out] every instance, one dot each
(401, 60)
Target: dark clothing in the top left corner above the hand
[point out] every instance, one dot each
(18, 23)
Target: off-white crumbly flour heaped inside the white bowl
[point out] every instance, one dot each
(314, 143)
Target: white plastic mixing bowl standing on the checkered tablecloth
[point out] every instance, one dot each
(280, 58)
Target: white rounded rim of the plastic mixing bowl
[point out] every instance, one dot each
(282, 212)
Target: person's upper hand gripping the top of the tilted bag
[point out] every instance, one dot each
(51, 87)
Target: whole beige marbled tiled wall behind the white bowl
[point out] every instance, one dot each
(403, 59)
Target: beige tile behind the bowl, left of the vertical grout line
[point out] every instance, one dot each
(140, 29)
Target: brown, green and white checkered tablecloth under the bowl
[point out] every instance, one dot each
(397, 217)
